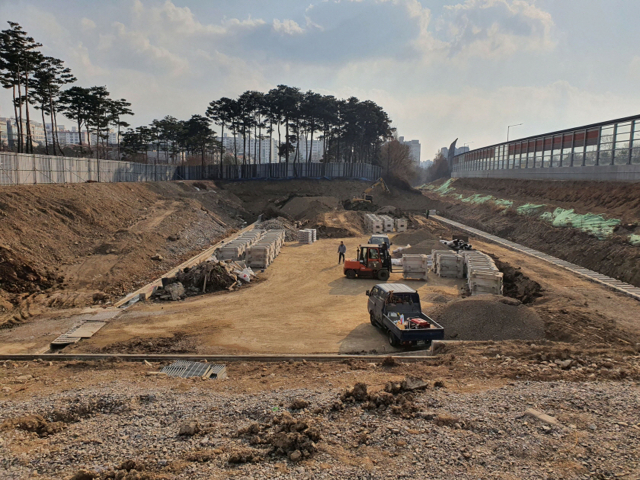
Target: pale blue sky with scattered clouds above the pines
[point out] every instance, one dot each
(442, 70)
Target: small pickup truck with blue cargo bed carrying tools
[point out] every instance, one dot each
(395, 309)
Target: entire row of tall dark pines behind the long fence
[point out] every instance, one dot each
(351, 130)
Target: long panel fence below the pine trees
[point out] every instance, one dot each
(26, 169)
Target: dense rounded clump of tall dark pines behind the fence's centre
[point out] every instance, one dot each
(351, 130)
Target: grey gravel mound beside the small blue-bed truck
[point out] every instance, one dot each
(488, 317)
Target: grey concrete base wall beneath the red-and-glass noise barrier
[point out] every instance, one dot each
(611, 173)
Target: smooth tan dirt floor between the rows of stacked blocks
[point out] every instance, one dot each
(302, 304)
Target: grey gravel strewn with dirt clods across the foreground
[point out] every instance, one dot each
(198, 434)
